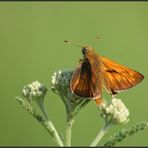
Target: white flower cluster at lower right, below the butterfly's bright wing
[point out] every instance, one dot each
(115, 111)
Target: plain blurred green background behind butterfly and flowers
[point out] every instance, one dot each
(32, 48)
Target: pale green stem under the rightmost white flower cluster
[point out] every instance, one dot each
(101, 134)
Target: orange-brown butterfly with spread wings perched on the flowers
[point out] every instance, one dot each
(94, 71)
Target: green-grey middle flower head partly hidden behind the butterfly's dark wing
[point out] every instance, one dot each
(60, 84)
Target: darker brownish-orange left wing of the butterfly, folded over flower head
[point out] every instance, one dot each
(84, 82)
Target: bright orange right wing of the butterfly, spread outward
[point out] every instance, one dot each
(118, 77)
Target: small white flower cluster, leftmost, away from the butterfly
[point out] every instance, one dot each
(34, 90)
